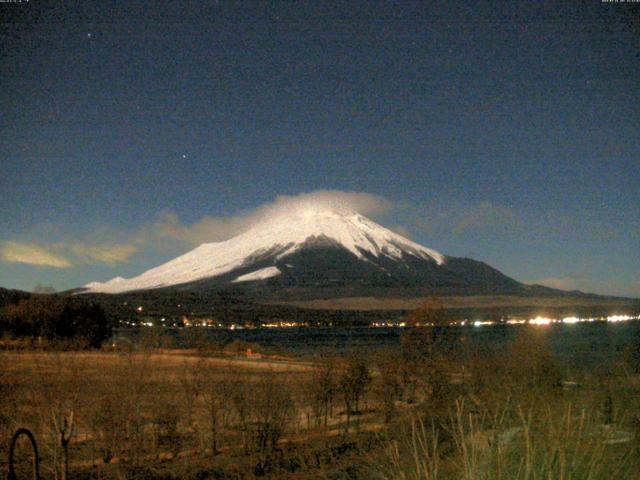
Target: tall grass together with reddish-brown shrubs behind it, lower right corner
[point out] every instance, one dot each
(517, 414)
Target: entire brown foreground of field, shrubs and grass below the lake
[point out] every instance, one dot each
(428, 409)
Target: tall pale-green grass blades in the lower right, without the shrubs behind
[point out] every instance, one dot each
(570, 444)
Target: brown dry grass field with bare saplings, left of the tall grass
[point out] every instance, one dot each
(129, 412)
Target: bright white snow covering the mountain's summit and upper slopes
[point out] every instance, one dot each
(275, 238)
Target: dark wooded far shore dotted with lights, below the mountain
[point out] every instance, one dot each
(228, 307)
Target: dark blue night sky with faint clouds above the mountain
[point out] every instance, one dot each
(504, 131)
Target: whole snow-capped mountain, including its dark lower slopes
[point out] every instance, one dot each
(317, 249)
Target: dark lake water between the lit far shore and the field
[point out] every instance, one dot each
(580, 343)
